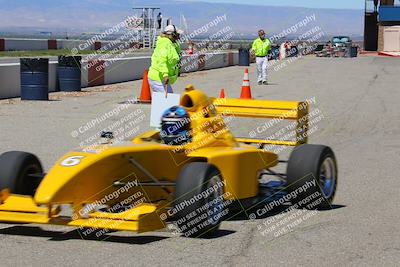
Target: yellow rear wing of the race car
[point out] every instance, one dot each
(276, 111)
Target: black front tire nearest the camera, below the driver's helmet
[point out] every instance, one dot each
(198, 206)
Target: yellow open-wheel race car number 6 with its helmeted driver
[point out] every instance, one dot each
(191, 174)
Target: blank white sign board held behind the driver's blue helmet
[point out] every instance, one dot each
(159, 104)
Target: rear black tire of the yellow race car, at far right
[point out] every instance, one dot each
(313, 168)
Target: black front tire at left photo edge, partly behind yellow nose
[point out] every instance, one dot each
(15, 170)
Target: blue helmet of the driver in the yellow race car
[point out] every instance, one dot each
(175, 126)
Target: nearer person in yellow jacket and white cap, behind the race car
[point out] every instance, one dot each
(164, 62)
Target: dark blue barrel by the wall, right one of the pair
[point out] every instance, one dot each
(69, 73)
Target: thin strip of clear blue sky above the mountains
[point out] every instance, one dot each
(347, 4)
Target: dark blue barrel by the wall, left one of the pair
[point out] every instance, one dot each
(34, 78)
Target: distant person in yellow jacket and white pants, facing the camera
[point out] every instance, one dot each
(260, 48)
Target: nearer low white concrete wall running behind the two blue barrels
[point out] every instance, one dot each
(109, 71)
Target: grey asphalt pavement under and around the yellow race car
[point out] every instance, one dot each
(359, 99)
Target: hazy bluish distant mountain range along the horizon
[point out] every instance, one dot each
(76, 16)
